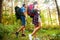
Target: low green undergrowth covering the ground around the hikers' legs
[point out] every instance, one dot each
(45, 33)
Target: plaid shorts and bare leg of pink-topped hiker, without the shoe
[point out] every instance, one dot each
(37, 24)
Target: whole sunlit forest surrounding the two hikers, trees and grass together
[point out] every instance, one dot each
(50, 16)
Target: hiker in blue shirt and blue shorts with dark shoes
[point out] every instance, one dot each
(22, 17)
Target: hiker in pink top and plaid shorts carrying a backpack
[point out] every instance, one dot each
(33, 13)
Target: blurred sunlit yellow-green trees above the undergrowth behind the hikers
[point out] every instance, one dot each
(49, 11)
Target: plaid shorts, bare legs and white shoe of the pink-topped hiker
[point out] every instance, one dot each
(37, 26)
